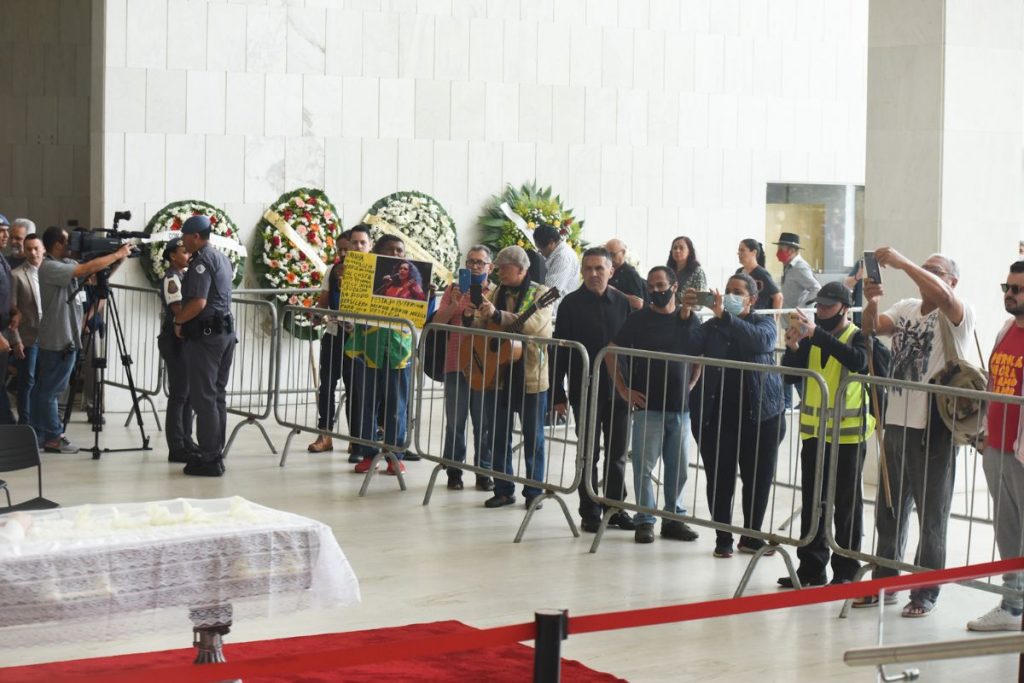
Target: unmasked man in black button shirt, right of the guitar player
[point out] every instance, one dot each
(592, 316)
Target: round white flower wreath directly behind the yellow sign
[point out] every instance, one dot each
(421, 219)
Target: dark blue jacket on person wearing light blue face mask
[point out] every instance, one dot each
(750, 339)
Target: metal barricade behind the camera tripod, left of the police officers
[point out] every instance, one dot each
(140, 312)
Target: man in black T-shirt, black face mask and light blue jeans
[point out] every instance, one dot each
(658, 392)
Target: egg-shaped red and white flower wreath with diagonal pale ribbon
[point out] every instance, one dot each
(296, 243)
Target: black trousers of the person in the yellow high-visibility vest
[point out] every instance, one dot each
(849, 516)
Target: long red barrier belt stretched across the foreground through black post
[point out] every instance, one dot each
(435, 646)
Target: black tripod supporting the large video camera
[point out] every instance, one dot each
(104, 293)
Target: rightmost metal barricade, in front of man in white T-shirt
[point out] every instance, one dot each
(918, 475)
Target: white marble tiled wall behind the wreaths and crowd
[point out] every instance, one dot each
(652, 118)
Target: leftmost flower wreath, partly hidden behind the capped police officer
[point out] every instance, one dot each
(172, 219)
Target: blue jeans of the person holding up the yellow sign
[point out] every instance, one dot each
(389, 389)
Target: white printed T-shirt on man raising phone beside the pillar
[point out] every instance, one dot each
(918, 355)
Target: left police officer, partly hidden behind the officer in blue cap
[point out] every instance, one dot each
(180, 414)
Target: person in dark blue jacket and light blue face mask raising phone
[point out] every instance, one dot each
(737, 416)
